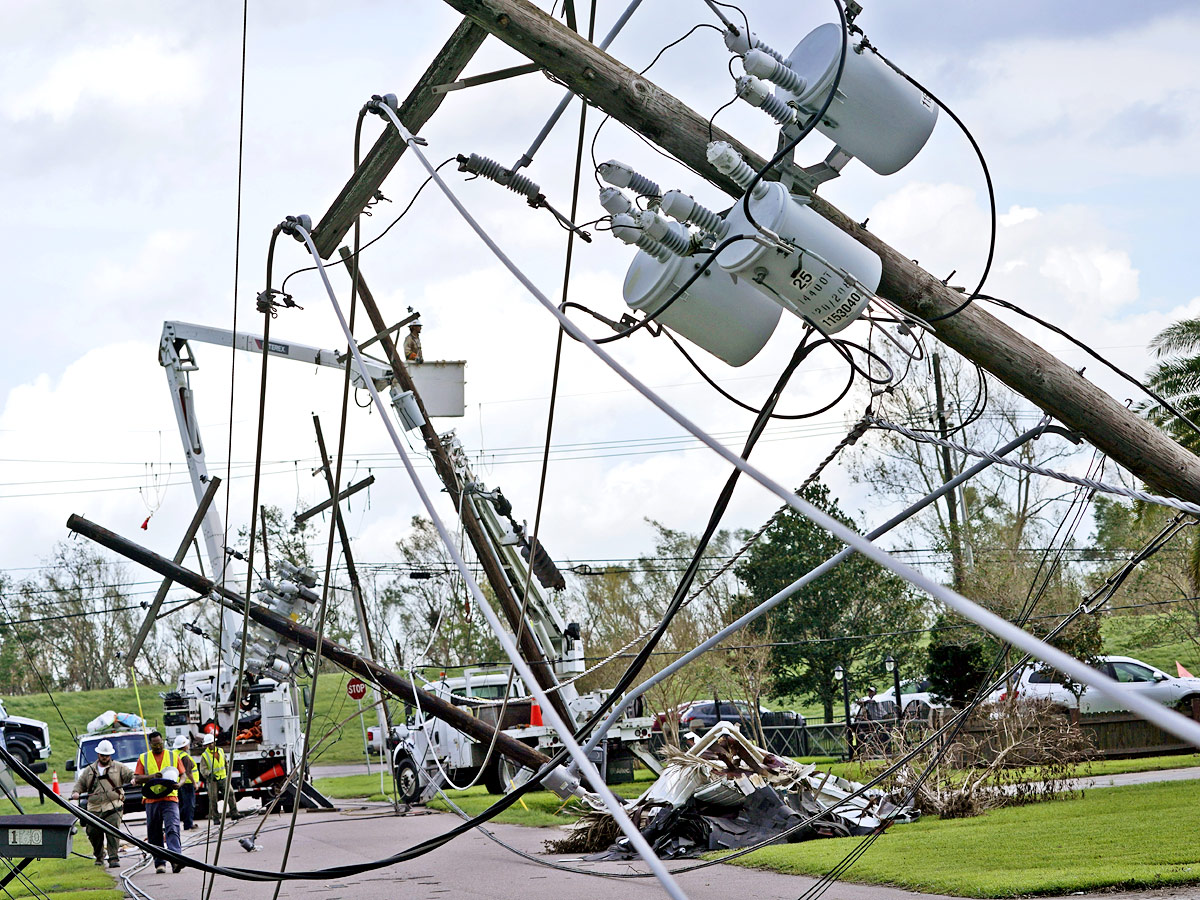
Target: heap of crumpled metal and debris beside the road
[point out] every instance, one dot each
(727, 794)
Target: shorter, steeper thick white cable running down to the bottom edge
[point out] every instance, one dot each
(565, 733)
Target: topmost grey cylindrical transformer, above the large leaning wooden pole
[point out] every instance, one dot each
(877, 116)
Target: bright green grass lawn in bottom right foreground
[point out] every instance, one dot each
(1142, 836)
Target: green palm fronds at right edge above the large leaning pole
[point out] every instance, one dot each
(1177, 379)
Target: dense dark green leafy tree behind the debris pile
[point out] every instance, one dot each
(851, 617)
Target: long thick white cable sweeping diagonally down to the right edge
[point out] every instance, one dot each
(1168, 721)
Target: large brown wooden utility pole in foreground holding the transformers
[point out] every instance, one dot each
(1018, 362)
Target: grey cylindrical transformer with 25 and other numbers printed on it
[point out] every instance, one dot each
(811, 281)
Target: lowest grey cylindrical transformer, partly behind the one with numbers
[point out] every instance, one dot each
(729, 319)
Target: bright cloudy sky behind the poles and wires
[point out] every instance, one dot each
(119, 176)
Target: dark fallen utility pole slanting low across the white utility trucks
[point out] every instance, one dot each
(307, 638)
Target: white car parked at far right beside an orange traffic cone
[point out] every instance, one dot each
(1039, 682)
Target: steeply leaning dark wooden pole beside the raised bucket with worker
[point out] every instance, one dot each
(531, 651)
